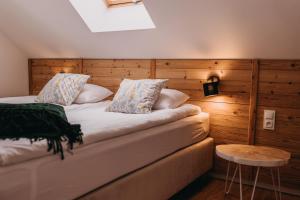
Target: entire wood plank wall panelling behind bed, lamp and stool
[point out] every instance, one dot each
(232, 112)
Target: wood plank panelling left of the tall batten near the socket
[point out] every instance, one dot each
(229, 110)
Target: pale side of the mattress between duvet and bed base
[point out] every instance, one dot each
(99, 163)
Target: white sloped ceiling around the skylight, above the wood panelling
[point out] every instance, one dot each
(185, 29)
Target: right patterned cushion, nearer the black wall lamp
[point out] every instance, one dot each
(136, 96)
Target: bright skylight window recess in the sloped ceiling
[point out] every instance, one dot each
(99, 16)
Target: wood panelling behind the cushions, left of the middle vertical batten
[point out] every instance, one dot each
(106, 72)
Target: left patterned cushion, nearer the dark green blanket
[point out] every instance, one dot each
(62, 89)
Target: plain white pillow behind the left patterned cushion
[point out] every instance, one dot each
(92, 94)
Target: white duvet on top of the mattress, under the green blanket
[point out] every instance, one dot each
(96, 124)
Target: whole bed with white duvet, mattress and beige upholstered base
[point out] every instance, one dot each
(120, 153)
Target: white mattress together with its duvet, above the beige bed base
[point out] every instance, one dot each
(106, 155)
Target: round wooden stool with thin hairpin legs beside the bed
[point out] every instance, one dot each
(256, 156)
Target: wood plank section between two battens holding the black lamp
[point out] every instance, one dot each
(229, 111)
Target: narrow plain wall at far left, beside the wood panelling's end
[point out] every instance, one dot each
(13, 69)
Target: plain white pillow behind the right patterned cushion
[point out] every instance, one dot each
(170, 99)
